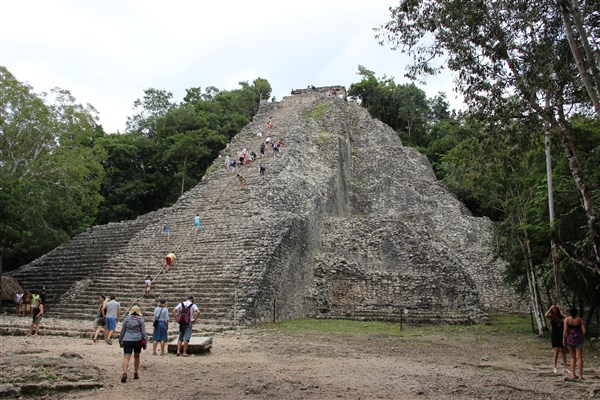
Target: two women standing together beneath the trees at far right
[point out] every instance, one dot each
(567, 333)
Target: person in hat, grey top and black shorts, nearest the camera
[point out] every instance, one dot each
(133, 339)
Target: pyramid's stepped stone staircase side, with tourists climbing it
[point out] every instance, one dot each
(230, 250)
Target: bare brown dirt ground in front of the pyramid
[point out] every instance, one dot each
(268, 364)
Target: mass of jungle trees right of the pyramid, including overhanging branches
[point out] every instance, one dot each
(522, 67)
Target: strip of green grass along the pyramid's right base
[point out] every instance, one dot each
(501, 325)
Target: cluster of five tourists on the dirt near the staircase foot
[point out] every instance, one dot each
(133, 336)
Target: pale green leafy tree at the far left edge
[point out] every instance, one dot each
(50, 169)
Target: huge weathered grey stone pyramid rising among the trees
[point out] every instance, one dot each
(346, 223)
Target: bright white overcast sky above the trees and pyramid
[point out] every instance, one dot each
(108, 52)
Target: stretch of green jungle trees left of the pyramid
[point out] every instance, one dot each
(60, 173)
